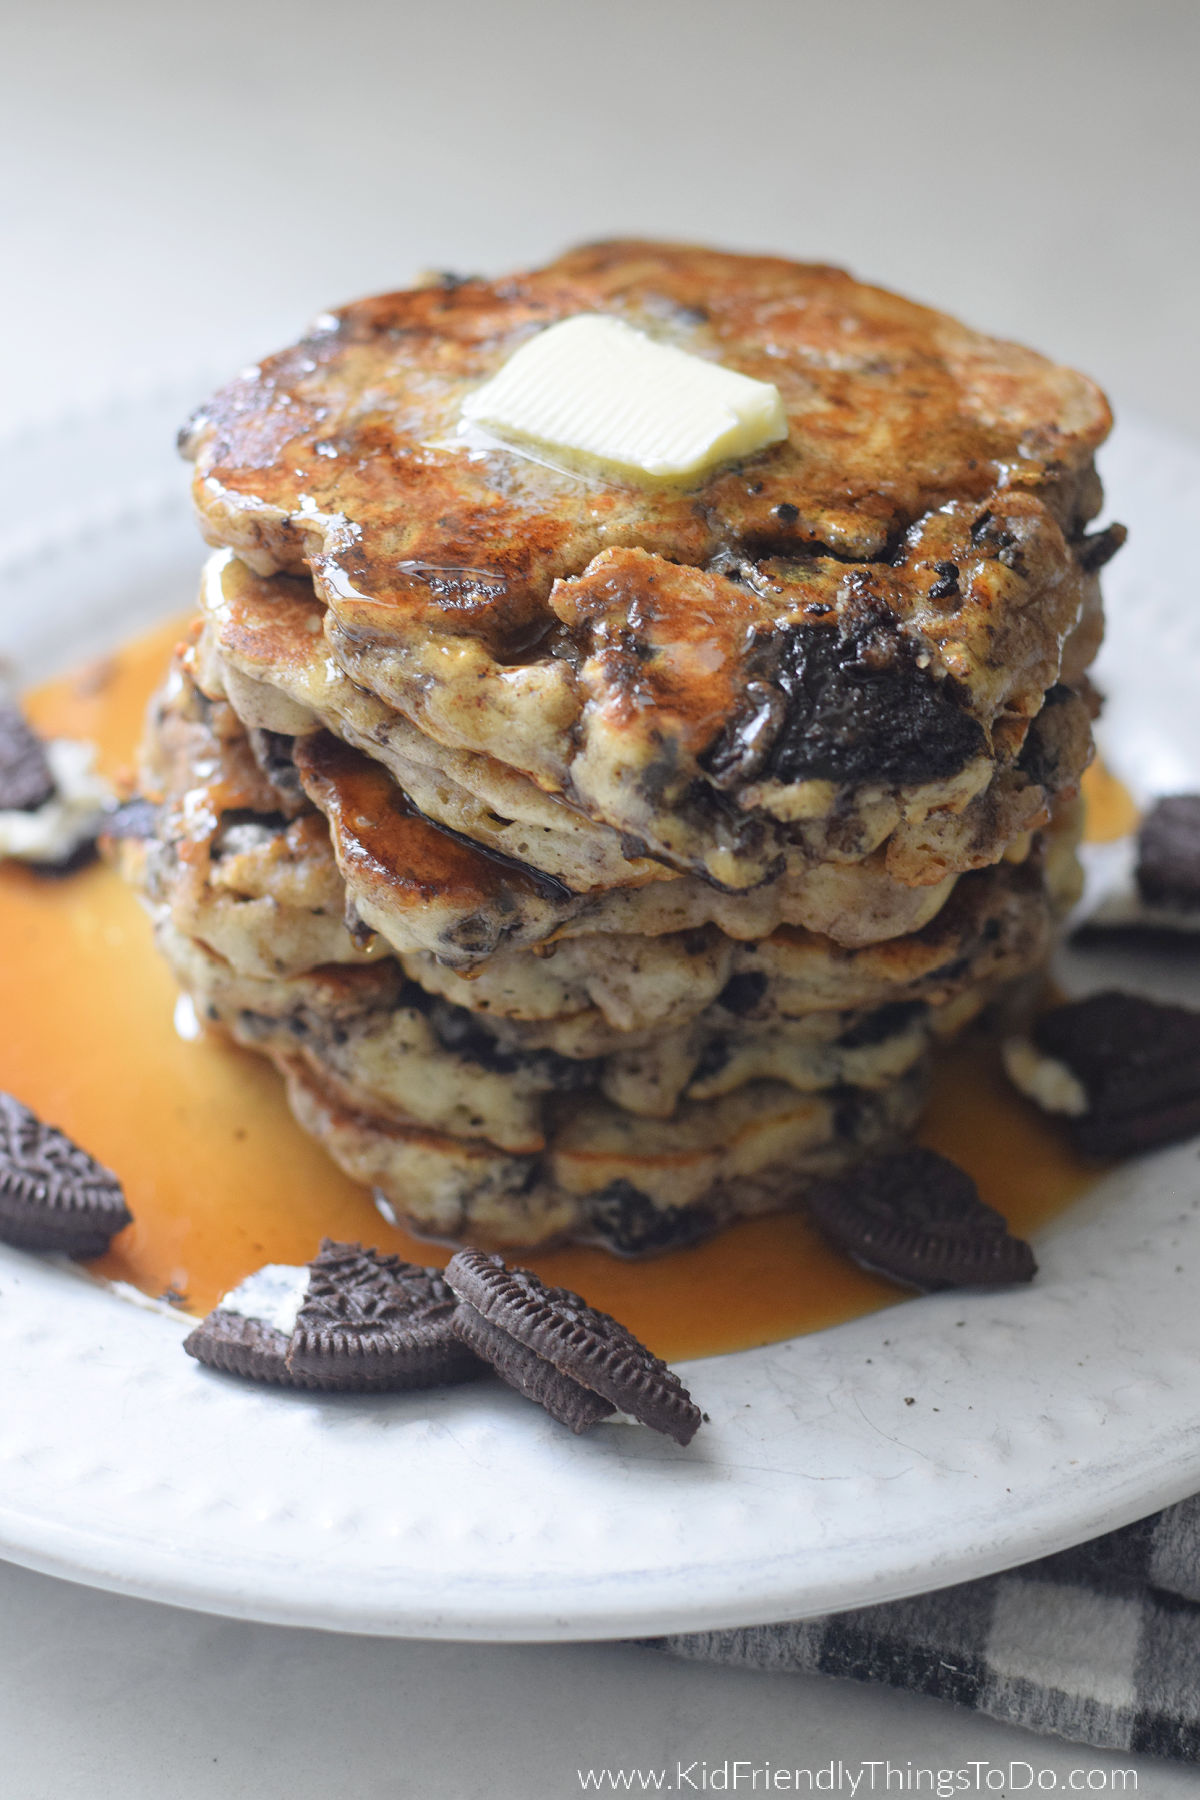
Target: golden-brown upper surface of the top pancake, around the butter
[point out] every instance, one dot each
(895, 411)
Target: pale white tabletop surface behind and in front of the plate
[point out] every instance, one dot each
(183, 190)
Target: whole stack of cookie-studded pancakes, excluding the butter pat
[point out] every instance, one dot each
(604, 859)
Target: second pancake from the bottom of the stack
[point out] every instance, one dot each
(384, 1045)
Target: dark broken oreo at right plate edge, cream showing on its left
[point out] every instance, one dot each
(1138, 1063)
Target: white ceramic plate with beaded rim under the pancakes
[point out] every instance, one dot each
(933, 1443)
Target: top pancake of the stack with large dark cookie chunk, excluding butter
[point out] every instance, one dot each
(884, 597)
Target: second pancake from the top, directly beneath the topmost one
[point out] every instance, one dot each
(264, 647)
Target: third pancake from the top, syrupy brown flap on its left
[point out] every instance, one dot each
(231, 870)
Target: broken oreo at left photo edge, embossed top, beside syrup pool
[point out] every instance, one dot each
(53, 1194)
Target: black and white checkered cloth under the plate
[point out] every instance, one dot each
(1098, 1644)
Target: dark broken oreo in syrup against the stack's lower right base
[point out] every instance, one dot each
(918, 1219)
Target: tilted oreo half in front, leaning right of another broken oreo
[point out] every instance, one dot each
(582, 1344)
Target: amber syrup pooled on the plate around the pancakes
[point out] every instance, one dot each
(222, 1180)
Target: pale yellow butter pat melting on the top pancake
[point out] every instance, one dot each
(596, 388)
